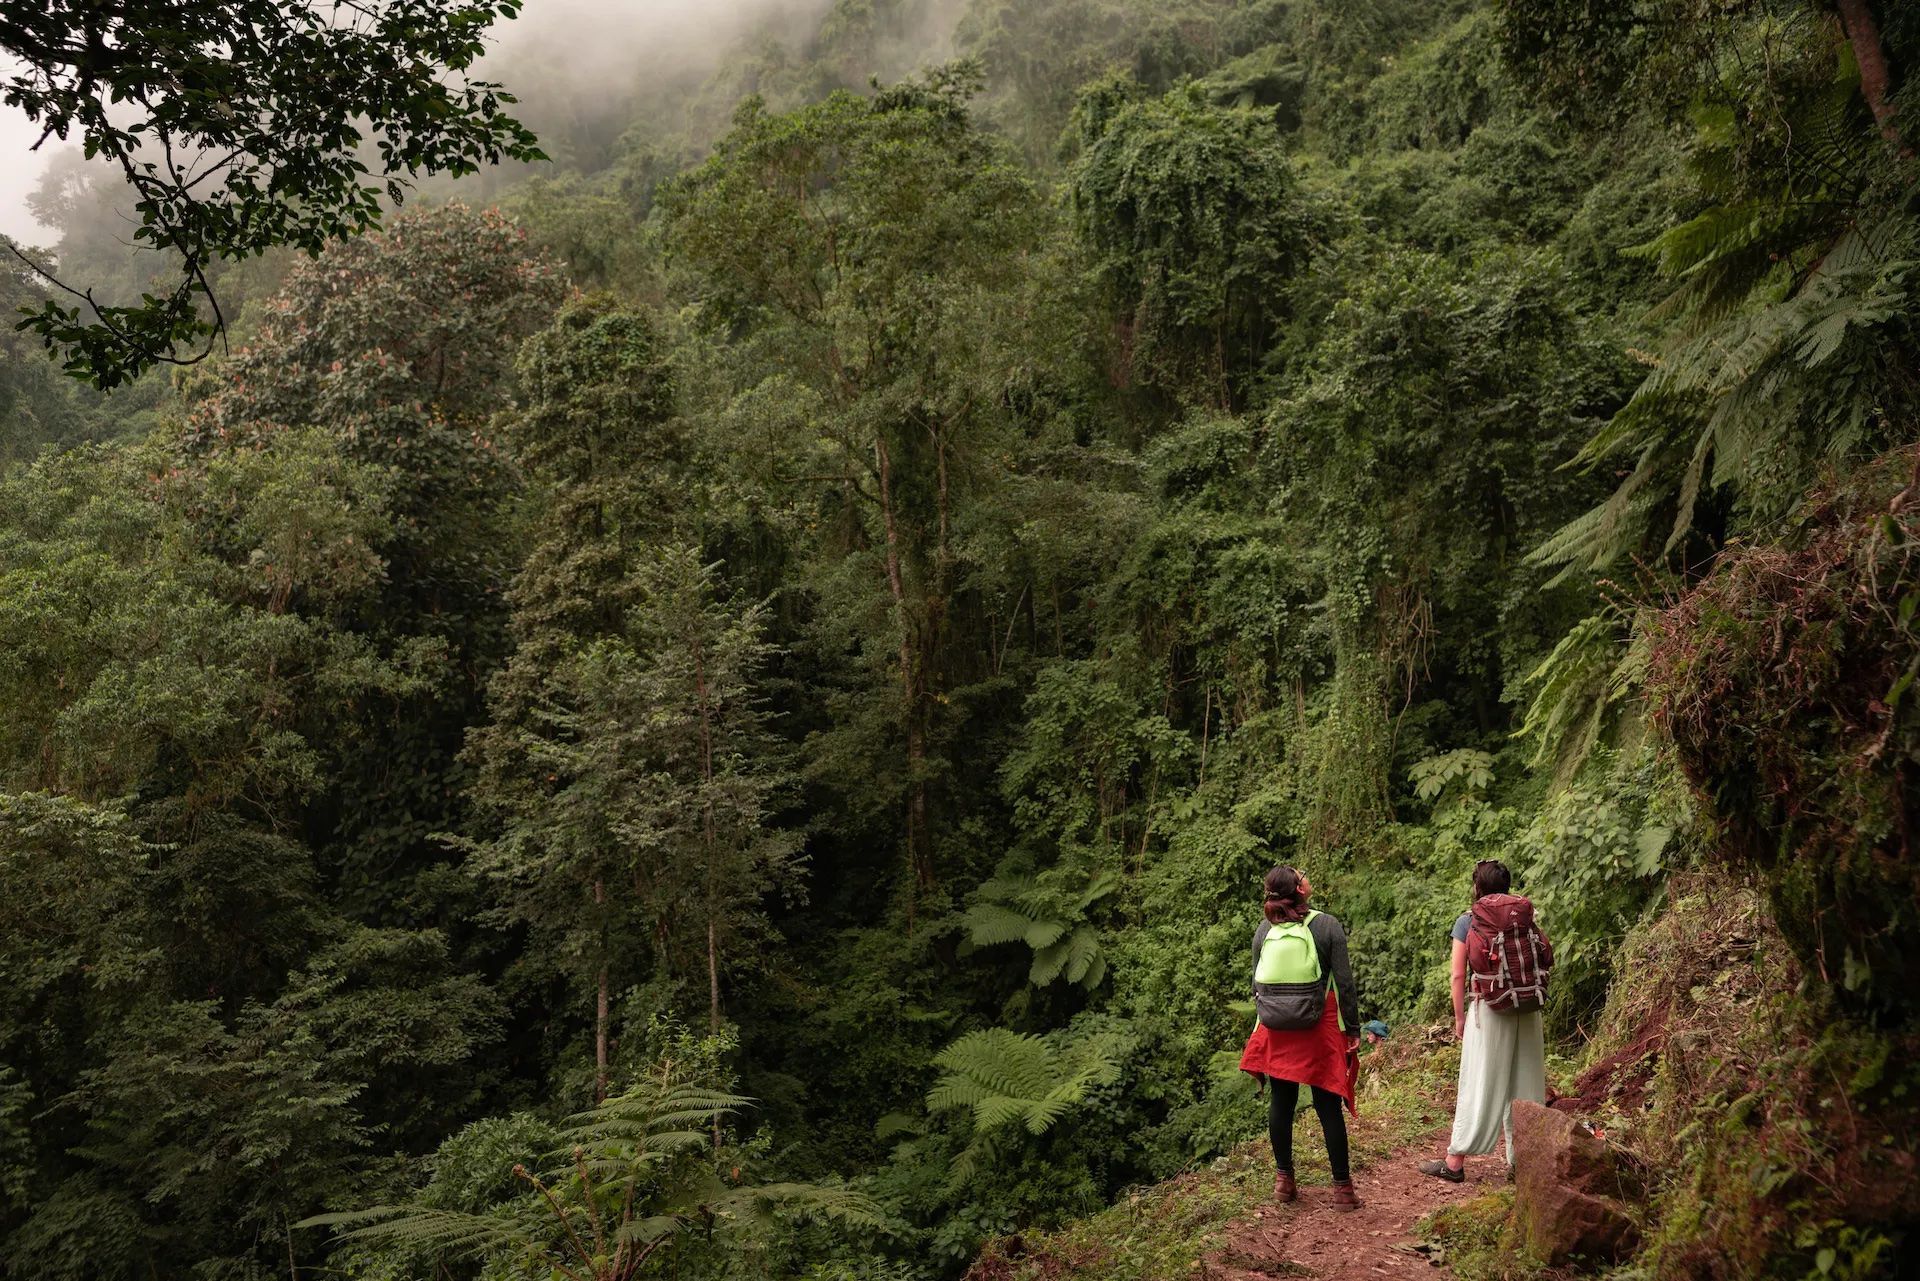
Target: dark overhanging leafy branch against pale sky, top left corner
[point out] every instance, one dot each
(241, 133)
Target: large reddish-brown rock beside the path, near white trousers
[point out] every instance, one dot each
(1568, 1190)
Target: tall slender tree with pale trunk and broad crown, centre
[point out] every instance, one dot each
(875, 247)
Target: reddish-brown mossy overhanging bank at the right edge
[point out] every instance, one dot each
(1785, 685)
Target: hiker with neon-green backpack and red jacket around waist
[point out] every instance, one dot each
(1307, 1032)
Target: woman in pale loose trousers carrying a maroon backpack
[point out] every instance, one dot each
(1500, 977)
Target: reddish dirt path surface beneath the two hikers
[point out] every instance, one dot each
(1312, 1240)
